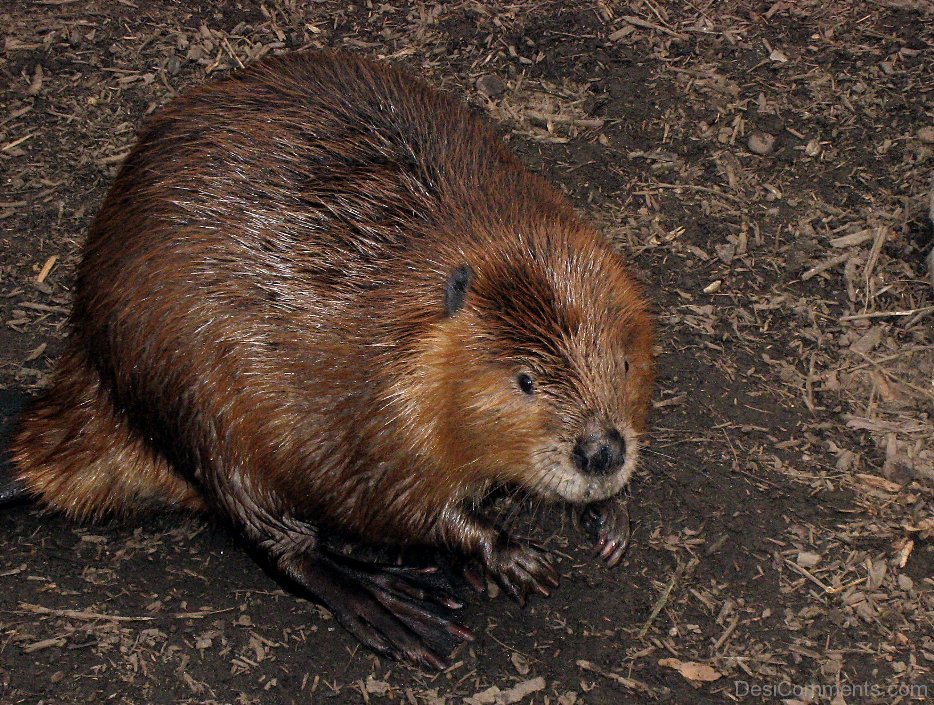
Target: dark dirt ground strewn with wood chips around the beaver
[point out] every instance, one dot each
(767, 165)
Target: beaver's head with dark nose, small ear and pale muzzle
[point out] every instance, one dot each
(543, 369)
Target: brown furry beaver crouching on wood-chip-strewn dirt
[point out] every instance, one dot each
(322, 299)
